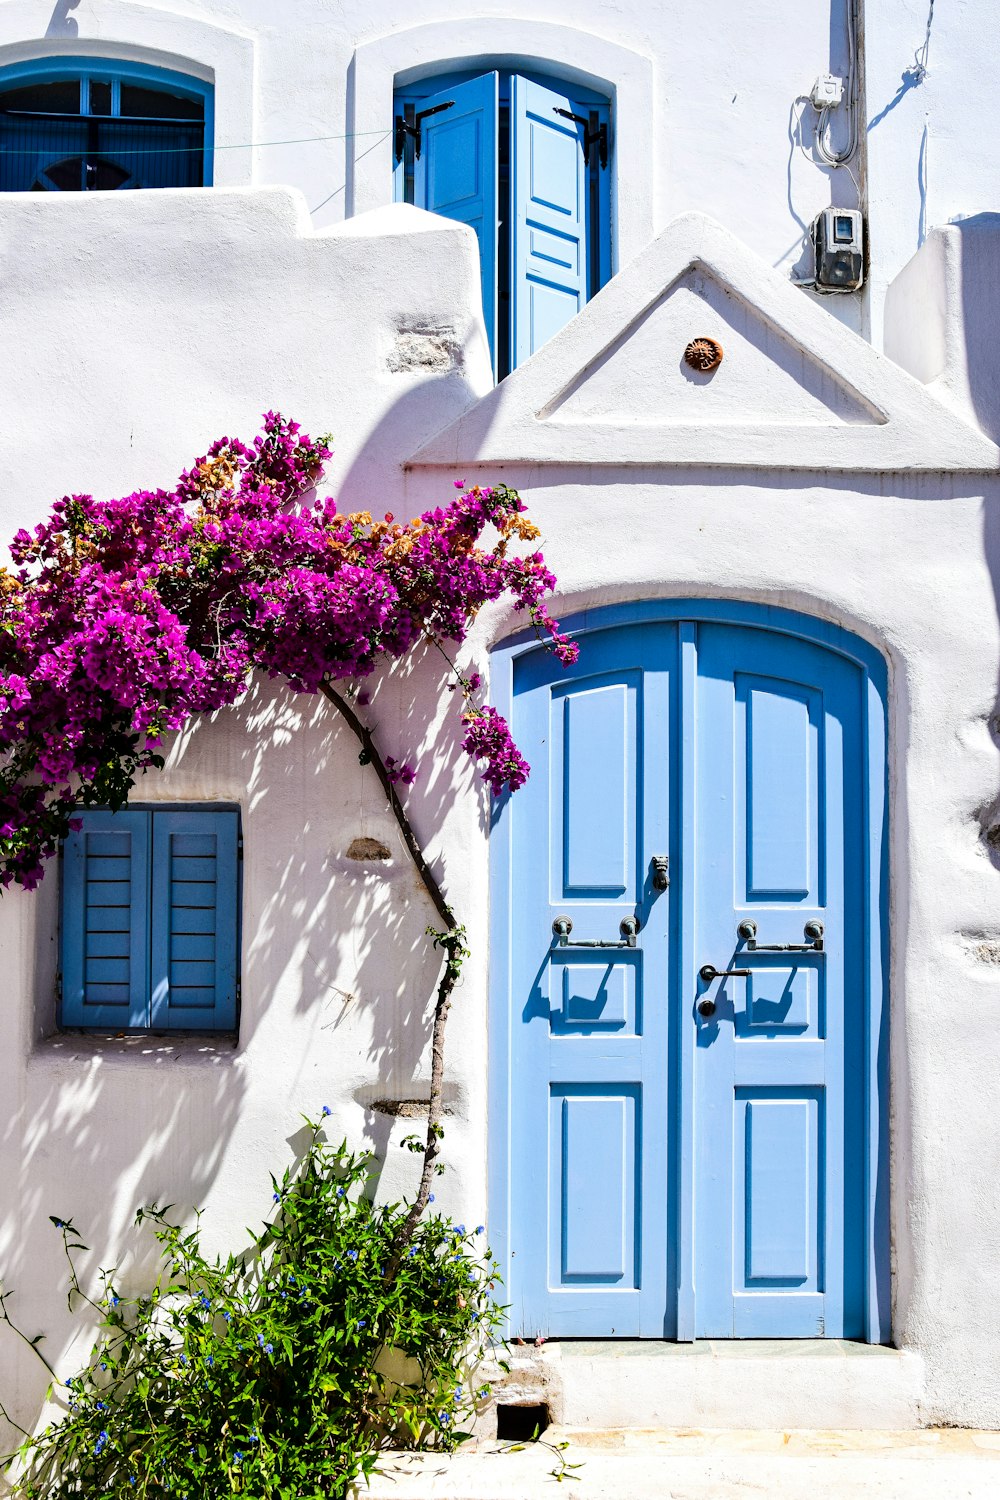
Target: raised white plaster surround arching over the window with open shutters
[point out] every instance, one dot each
(582, 58)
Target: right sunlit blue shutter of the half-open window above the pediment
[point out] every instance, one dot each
(555, 260)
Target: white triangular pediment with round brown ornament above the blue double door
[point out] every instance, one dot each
(795, 388)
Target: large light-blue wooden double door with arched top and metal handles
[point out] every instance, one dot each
(687, 1100)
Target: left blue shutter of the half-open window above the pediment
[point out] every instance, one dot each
(458, 172)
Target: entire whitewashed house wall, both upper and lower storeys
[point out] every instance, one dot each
(137, 328)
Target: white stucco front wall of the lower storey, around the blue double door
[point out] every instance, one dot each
(140, 331)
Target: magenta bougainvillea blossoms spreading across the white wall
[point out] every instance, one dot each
(124, 619)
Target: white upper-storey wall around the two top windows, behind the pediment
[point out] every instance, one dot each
(711, 110)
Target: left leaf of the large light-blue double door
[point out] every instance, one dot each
(588, 1028)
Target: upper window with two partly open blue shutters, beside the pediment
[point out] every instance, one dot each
(525, 163)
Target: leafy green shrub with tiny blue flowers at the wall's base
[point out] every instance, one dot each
(280, 1372)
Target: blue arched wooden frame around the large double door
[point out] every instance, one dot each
(876, 967)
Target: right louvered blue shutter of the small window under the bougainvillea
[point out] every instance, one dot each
(194, 920)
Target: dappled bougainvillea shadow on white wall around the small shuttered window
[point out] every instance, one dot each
(338, 992)
